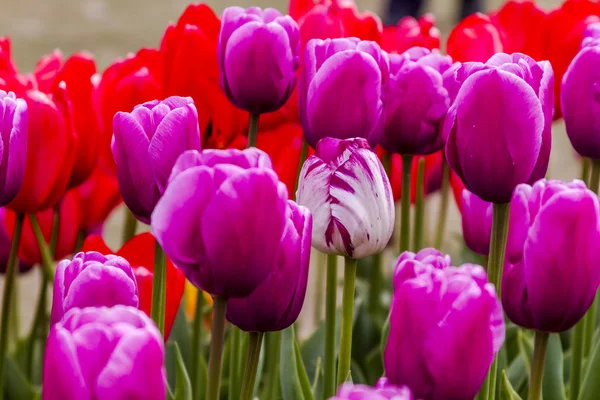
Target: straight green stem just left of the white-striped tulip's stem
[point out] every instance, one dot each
(330, 306)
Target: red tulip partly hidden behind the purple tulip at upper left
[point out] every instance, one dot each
(124, 84)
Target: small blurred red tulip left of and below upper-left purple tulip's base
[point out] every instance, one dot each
(99, 196)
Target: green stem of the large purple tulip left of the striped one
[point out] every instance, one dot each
(217, 340)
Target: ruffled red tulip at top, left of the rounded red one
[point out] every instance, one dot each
(411, 32)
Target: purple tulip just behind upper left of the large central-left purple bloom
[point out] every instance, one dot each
(146, 144)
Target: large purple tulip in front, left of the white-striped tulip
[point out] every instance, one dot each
(222, 218)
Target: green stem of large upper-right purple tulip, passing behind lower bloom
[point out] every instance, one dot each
(495, 267)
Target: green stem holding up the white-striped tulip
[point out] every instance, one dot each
(347, 315)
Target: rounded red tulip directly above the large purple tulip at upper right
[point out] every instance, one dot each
(475, 38)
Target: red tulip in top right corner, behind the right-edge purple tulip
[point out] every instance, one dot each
(564, 36)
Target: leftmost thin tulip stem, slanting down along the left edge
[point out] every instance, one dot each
(9, 287)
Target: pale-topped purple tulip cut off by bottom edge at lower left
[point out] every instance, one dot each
(104, 354)
